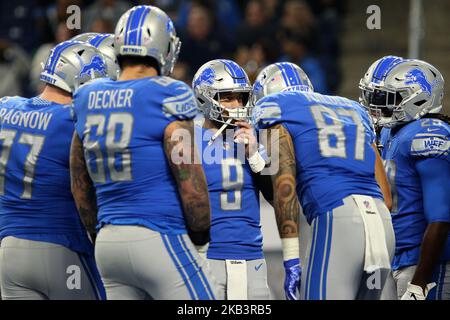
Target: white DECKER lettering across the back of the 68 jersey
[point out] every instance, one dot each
(106, 99)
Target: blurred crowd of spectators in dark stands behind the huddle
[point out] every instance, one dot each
(254, 33)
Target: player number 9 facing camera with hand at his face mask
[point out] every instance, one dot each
(235, 254)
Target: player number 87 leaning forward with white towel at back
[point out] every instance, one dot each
(326, 157)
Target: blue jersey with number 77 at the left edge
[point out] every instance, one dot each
(36, 202)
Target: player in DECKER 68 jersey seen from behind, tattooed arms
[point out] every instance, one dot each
(129, 165)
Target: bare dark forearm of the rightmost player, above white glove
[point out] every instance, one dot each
(433, 244)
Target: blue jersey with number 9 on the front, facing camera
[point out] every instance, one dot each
(235, 216)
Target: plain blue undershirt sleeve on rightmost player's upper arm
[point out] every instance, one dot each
(435, 178)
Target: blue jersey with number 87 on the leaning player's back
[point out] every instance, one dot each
(332, 138)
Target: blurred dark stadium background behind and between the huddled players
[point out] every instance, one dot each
(329, 39)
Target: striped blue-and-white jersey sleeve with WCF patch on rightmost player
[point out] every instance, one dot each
(431, 139)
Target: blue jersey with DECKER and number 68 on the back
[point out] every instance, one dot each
(121, 124)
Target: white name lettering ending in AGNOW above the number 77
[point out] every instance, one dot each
(28, 119)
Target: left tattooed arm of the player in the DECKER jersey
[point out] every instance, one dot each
(82, 187)
